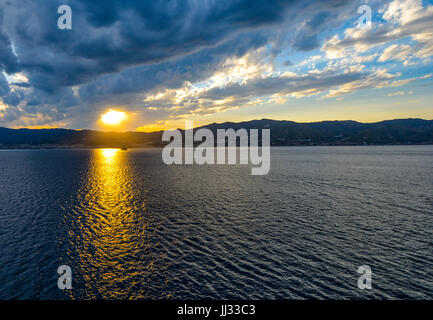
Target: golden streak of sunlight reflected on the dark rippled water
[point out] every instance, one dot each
(109, 238)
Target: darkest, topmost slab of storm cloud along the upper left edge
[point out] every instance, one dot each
(108, 36)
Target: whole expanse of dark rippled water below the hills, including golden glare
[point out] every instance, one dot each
(131, 227)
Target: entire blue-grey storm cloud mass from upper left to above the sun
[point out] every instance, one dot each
(119, 49)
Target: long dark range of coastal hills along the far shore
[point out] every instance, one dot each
(283, 133)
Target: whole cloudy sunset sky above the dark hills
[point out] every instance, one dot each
(161, 62)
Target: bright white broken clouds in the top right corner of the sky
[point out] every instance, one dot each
(405, 19)
